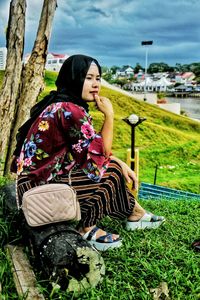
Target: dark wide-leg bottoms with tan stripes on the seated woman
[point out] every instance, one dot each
(109, 197)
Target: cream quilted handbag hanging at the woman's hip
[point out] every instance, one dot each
(50, 203)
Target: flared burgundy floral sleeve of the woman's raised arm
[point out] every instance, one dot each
(87, 145)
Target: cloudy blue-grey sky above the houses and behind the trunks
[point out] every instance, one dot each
(112, 30)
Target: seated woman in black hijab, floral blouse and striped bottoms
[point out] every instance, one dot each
(60, 136)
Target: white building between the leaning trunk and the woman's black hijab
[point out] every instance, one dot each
(55, 61)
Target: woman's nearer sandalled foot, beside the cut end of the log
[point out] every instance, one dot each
(100, 239)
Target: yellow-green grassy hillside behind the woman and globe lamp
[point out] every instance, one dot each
(165, 139)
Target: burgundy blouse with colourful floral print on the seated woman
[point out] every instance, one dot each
(63, 135)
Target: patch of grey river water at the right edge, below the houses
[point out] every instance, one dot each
(191, 106)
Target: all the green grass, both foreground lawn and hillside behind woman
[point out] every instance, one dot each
(147, 257)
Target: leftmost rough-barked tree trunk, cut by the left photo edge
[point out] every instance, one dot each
(9, 90)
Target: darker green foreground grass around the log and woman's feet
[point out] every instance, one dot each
(146, 259)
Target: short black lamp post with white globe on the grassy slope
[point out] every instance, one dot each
(133, 120)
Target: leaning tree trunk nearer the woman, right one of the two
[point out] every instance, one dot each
(32, 77)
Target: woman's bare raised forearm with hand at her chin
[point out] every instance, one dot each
(105, 106)
